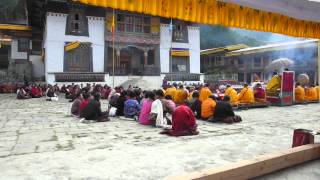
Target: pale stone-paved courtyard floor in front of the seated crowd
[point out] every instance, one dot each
(40, 140)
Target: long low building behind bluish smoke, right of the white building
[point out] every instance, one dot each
(246, 64)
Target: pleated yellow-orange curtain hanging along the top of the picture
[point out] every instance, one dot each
(215, 12)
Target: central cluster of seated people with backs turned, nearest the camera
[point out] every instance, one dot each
(158, 108)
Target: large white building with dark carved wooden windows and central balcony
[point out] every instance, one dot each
(83, 43)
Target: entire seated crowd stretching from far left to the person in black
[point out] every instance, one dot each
(174, 108)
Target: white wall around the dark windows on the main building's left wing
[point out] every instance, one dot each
(55, 40)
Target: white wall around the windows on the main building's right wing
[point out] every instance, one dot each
(193, 45)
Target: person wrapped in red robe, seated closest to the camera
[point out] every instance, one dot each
(183, 122)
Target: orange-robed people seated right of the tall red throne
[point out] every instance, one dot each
(307, 94)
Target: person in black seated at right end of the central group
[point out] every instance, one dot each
(224, 112)
